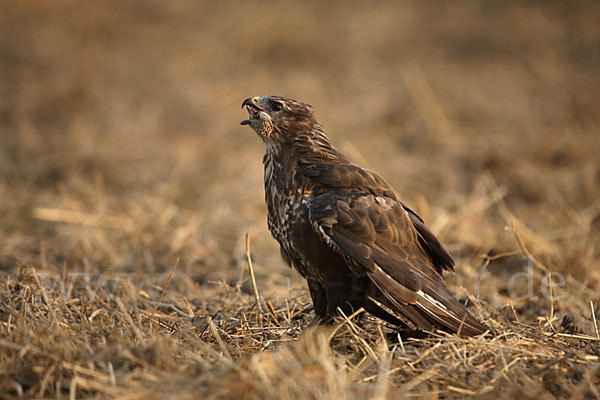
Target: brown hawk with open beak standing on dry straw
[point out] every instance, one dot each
(343, 228)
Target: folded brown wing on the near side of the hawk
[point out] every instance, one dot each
(377, 235)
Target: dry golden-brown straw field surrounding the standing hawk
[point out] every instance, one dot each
(127, 187)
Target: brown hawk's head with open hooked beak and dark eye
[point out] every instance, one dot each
(277, 118)
